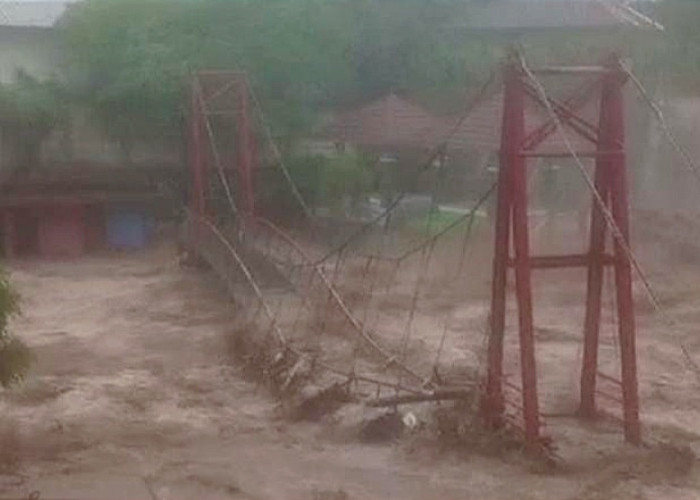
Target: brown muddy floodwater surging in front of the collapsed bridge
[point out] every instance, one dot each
(135, 396)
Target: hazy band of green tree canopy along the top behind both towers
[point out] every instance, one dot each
(129, 60)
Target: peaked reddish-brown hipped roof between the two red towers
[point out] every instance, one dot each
(389, 121)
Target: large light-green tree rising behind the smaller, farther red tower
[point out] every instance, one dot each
(130, 60)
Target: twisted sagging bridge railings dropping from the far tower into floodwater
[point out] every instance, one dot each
(227, 252)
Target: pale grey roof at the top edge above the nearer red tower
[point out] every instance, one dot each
(549, 14)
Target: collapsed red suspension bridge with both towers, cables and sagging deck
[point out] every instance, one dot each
(286, 284)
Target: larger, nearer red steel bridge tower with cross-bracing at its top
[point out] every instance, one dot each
(607, 137)
